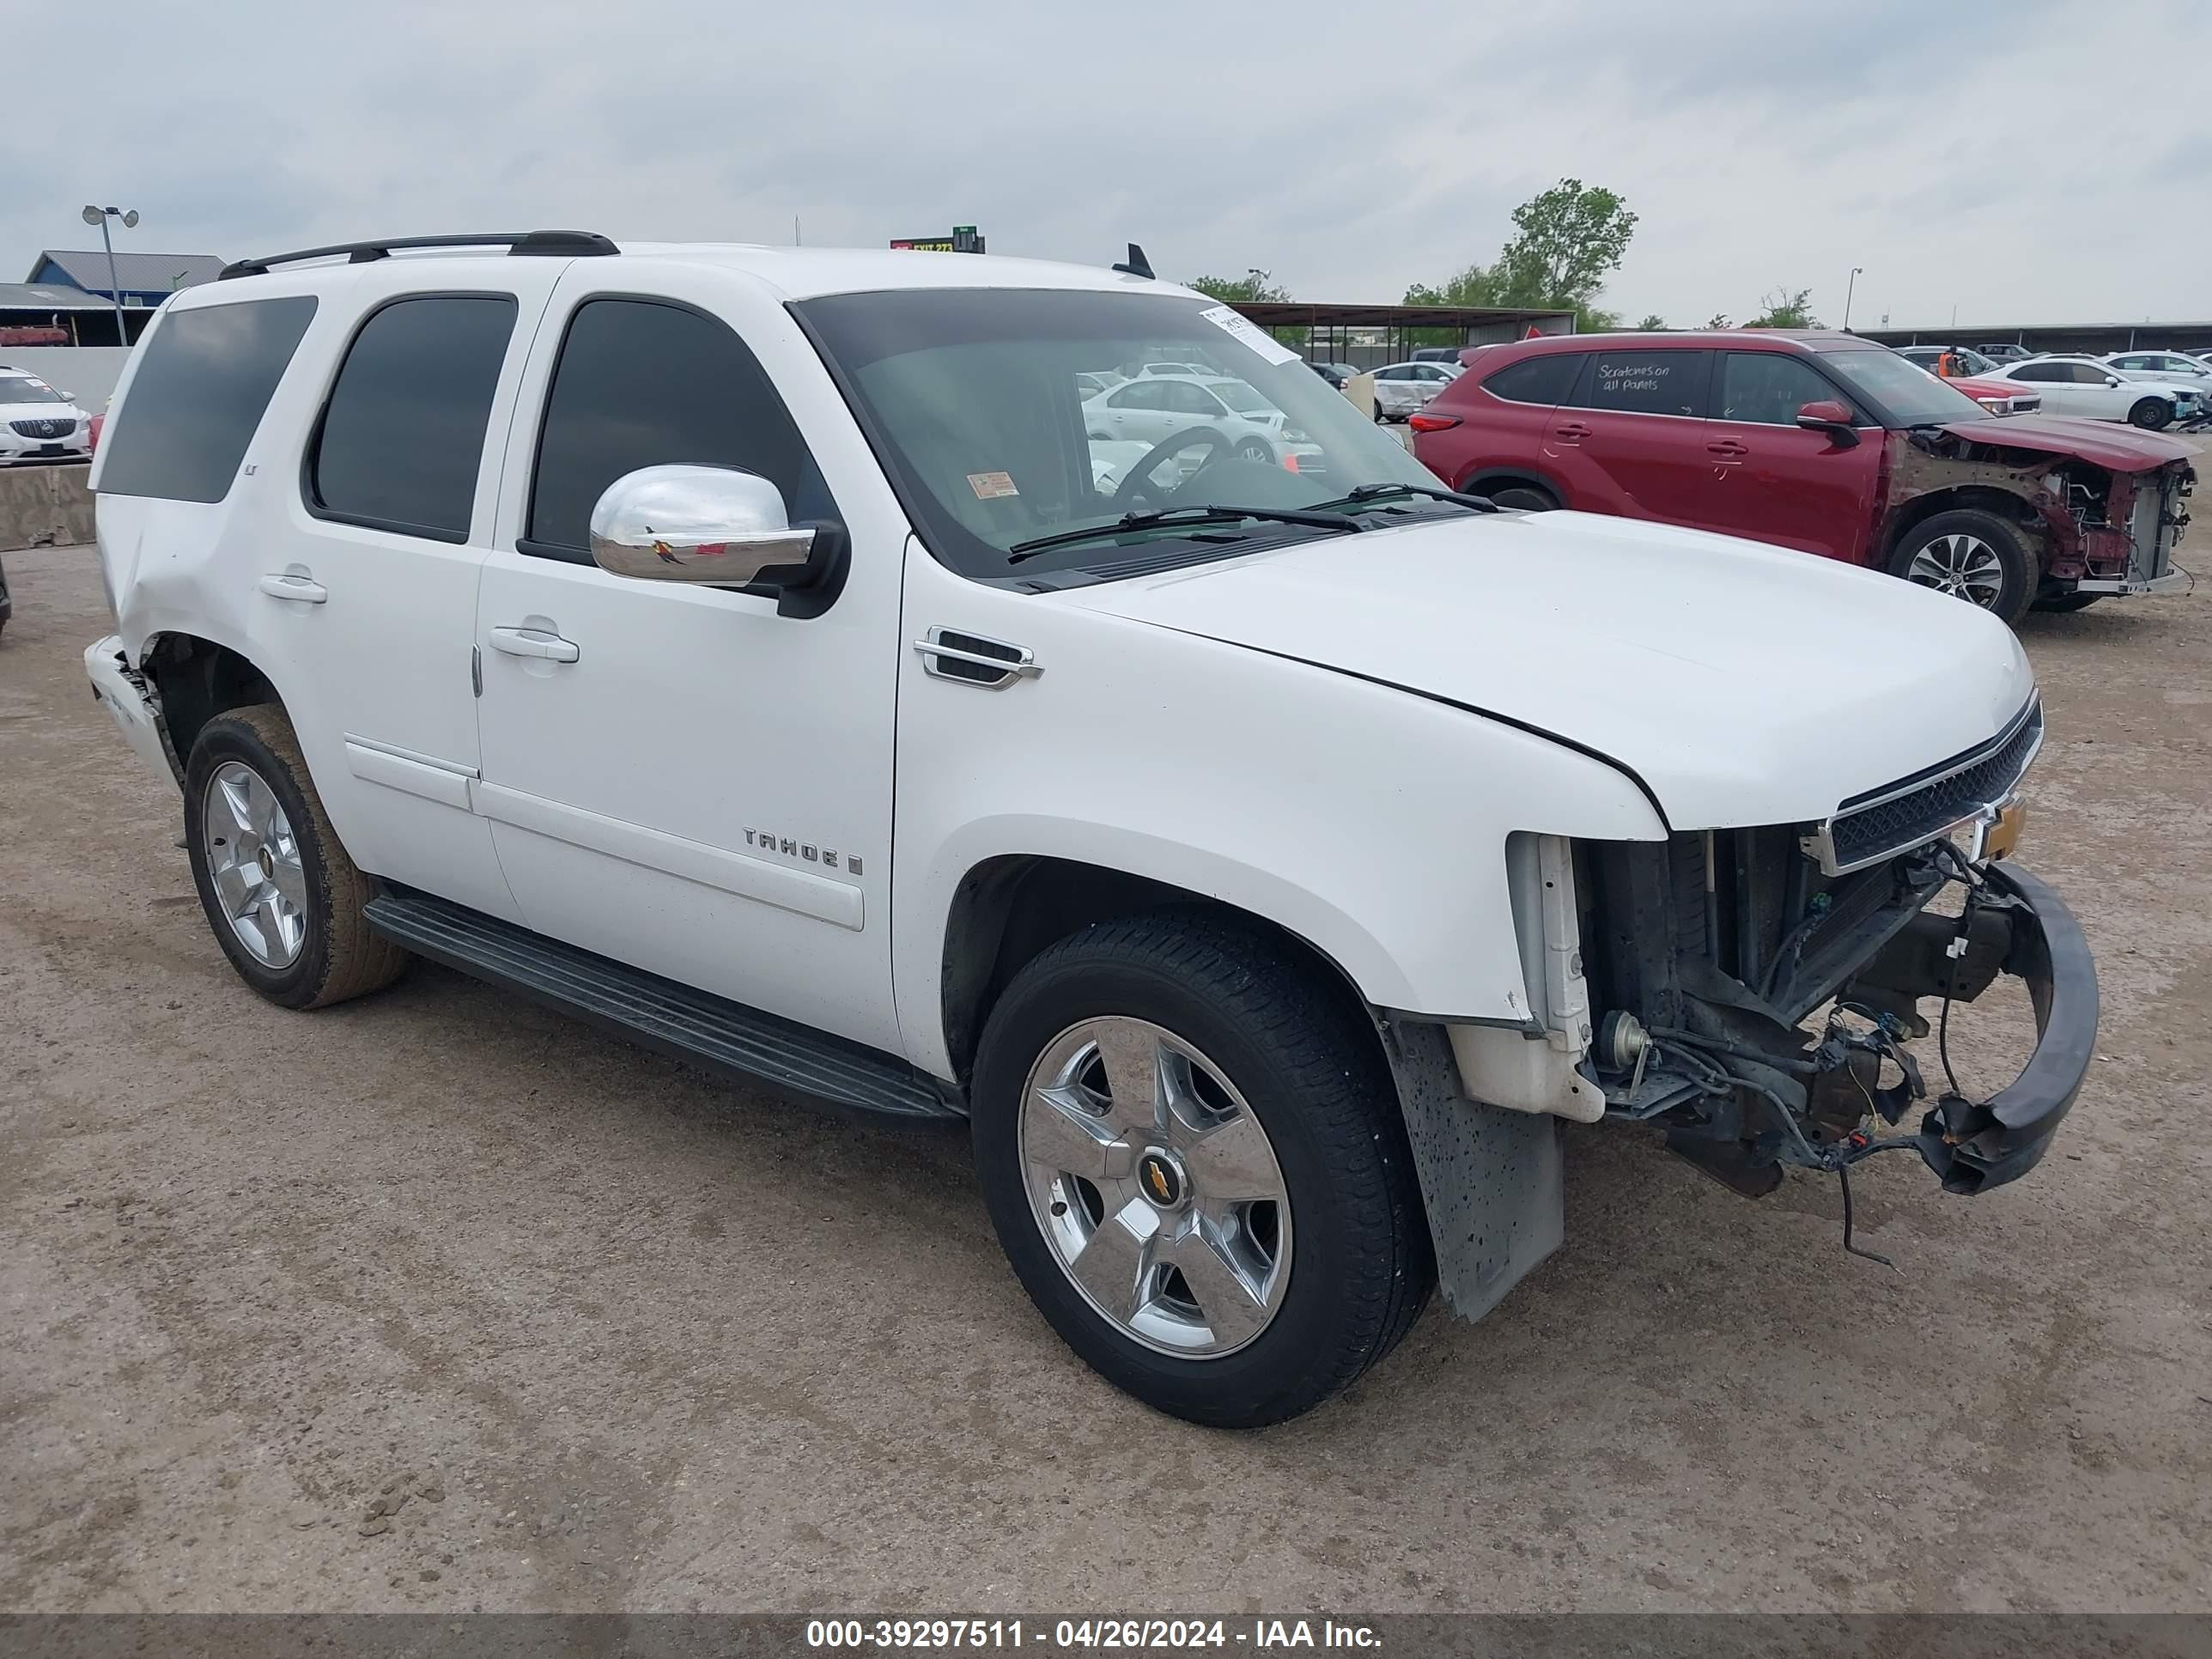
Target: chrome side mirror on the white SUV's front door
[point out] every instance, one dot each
(713, 525)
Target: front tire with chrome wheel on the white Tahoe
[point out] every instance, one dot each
(1196, 1162)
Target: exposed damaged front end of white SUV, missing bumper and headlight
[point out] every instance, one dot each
(1707, 959)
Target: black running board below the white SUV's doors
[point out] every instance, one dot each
(660, 1014)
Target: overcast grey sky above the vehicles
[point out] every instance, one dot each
(2036, 160)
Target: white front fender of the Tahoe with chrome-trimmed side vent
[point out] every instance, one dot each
(1364, 820)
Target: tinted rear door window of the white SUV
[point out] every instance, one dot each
(404, 432)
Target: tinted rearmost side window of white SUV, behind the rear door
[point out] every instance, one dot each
(198, 395)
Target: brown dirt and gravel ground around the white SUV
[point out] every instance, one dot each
(601, 1335)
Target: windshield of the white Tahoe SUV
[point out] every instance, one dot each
(974, 408)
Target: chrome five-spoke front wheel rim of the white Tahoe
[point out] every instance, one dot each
(1156, 1187)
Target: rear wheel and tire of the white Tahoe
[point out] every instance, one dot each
(282, 895)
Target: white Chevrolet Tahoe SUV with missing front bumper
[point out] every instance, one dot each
(742, 649)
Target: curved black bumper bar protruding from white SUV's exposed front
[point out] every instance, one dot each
(1979, 1147)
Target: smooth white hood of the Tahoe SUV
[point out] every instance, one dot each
(1744, 685)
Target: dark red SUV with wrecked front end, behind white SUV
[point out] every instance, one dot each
(1824, 444)
